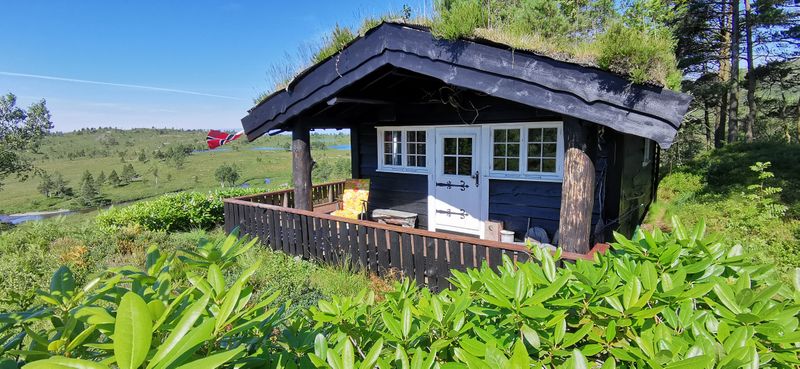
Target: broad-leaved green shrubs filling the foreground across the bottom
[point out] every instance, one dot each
(679, 300)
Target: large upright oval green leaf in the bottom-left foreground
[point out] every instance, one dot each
(132, 332)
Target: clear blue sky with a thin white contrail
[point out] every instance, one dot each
(185, 64)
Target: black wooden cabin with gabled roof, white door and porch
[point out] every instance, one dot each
(468, 135)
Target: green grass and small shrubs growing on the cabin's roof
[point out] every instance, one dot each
(642, 53)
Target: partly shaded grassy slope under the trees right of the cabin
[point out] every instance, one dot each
(716, 187)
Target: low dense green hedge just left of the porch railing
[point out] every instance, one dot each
(181, 211)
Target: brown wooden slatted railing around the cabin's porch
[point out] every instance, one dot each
(422, 255)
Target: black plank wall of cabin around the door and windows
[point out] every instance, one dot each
(512, 202)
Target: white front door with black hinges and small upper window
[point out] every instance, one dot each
(456, 204)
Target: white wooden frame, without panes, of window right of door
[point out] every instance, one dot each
(522, 173)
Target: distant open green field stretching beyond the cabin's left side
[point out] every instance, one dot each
(104, 150)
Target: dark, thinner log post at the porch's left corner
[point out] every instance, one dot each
(301, 166)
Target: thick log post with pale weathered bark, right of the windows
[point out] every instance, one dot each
(577, 190)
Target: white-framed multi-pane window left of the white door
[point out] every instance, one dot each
(403, 149)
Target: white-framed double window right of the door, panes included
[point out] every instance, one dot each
(532, 151)
